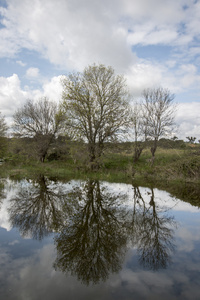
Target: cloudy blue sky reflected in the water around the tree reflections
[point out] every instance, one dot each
(26, 270)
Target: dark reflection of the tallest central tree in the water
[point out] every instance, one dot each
(94, 242)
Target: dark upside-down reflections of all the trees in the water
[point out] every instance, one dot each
(94, 226)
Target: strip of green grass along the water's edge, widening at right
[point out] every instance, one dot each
(177, 165)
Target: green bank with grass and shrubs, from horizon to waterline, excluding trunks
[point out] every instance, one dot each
(116, 164)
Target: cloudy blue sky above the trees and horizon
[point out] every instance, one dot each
(151, 42)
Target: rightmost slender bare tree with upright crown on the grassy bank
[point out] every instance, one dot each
(158, 114)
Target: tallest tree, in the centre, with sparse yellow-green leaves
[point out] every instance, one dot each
(96, 107)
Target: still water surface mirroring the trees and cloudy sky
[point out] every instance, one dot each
(96, 240)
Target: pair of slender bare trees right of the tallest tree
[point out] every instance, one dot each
(152, 118)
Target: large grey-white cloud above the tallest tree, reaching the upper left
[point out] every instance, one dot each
(66, 32)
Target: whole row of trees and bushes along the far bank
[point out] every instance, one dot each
(96, 110)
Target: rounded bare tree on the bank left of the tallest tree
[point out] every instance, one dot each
(39, 121)
